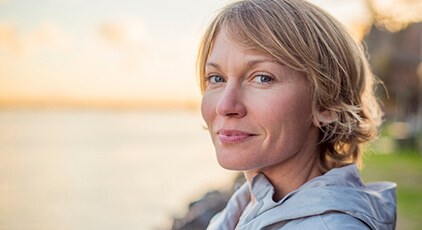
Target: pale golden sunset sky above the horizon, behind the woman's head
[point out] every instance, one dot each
(111, 50)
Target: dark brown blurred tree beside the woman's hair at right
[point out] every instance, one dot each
(394, 58)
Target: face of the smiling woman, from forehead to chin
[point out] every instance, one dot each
(258, 110)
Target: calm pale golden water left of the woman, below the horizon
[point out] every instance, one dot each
(67, 169)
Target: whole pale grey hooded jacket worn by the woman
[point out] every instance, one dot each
(336, 200)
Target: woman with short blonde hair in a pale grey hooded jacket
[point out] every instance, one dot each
(288, 99)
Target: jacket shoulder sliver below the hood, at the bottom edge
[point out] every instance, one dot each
(327, 221)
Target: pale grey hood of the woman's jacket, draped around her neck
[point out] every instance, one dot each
(338, 190)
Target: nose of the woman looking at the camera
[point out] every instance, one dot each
(231, 102)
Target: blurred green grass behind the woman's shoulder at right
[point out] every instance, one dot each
(405, 169)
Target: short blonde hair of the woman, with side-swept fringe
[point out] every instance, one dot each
(309, 40)
